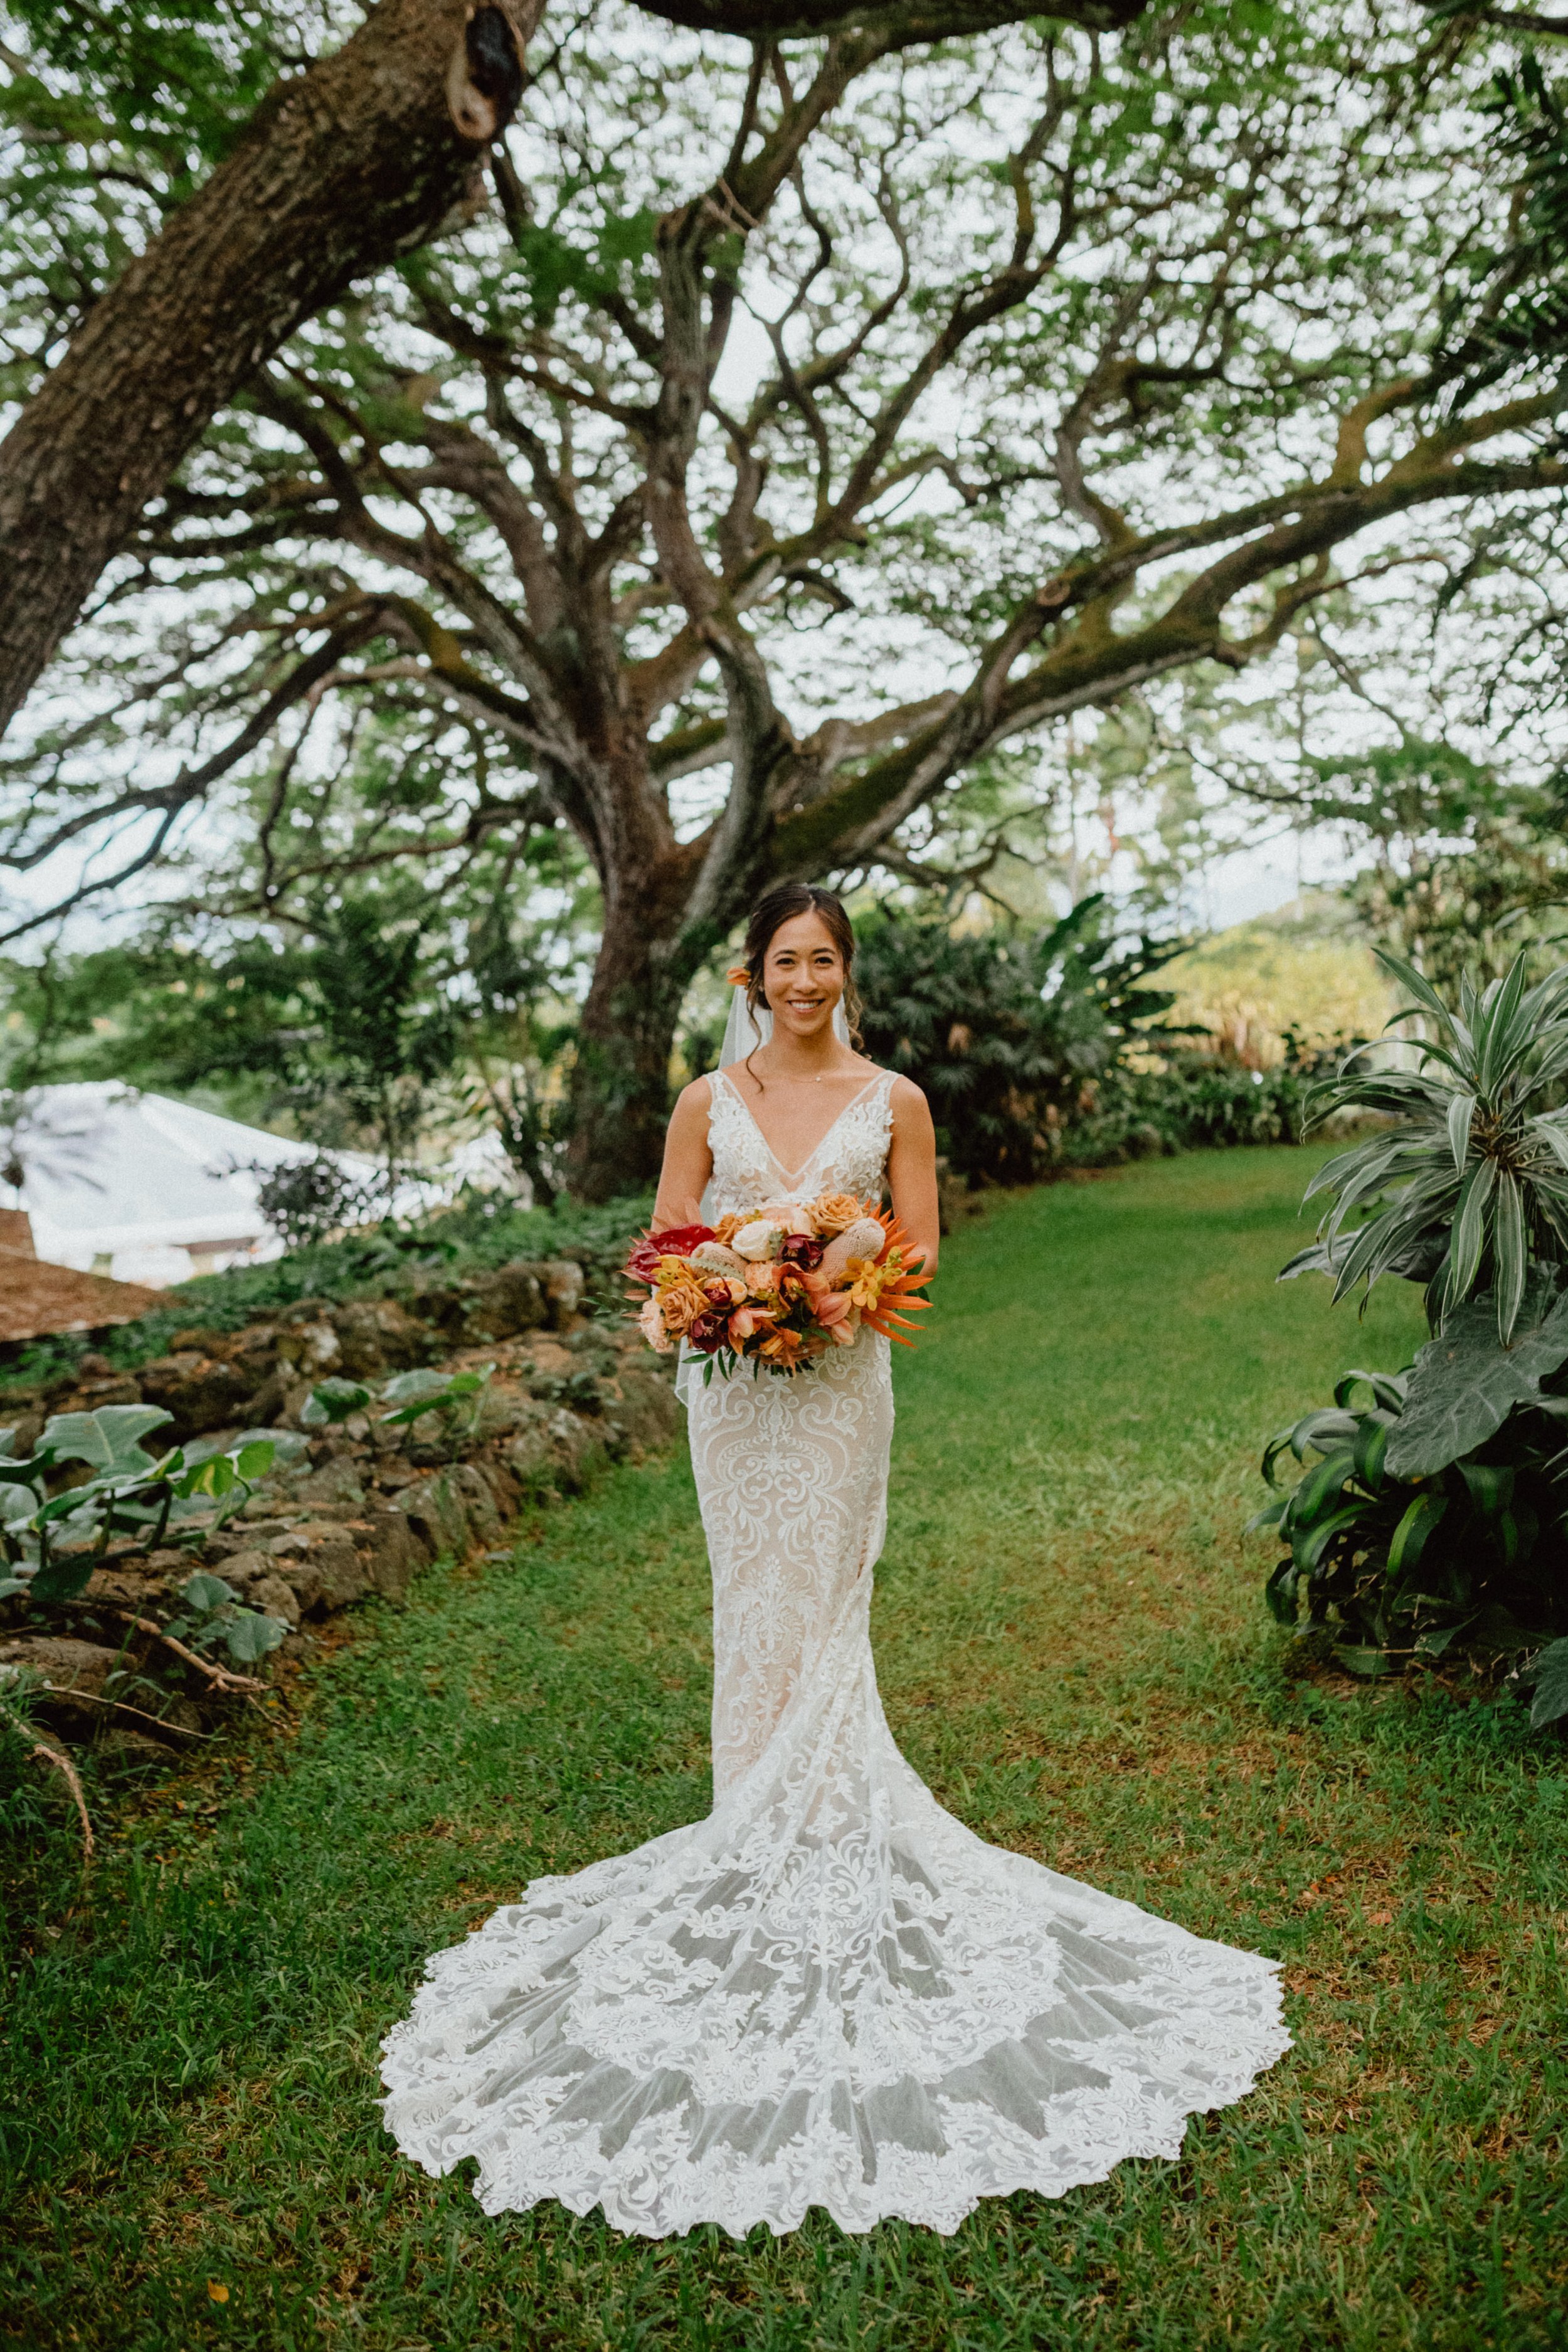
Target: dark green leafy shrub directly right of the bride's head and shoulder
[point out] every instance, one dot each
(1007, 1034)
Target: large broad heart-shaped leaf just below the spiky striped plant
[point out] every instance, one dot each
(1466, 1384)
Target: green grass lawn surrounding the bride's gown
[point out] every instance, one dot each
(1076, 1655)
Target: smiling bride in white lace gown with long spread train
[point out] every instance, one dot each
(829, 1991)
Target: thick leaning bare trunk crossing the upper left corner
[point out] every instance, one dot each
(342, 171)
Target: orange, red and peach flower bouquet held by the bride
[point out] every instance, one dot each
(777, 1288)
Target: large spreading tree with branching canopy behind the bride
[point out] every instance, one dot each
(810, 425)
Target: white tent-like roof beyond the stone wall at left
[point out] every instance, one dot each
(154, 1191)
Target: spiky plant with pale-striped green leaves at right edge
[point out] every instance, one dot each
(1470, 1187)
